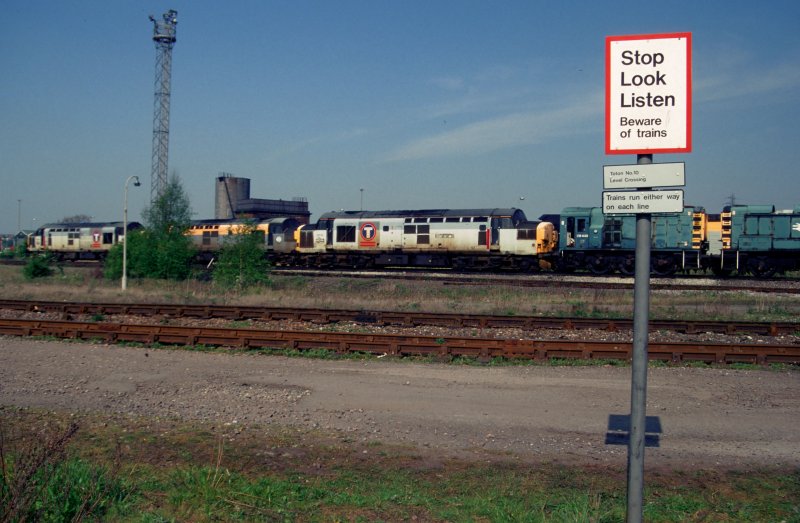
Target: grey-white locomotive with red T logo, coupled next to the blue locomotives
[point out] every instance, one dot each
(465, 239)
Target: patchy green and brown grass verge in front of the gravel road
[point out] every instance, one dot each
(162, 470)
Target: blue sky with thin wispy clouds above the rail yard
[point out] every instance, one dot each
(425, 104)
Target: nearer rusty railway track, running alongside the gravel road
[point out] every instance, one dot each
(483, 349)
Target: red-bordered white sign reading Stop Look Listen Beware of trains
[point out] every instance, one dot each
(649, 94)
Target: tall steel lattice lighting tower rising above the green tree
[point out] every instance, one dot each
(164, 37)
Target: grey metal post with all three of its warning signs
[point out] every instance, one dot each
(648, 111)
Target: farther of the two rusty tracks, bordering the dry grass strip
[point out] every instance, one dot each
(408, 319)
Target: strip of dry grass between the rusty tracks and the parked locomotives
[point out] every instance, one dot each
(392, 295)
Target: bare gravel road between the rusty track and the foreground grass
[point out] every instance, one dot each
(709, 417)
